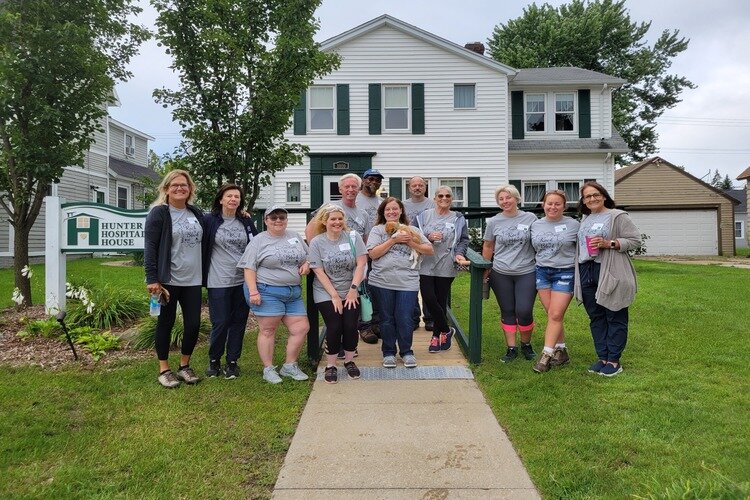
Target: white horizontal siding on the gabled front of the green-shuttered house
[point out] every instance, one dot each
(457, 143)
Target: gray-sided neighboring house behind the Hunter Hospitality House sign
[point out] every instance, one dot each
(112, 171)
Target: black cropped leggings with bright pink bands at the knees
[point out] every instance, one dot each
(515, 295)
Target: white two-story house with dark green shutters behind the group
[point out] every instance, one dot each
(408, 102)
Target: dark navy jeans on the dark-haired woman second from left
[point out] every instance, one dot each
(228, 311)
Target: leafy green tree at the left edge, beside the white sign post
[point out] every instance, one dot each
(58, 64)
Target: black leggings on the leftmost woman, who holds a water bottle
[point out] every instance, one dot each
(189, 298)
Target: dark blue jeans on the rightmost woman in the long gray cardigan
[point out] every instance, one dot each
(609, 329)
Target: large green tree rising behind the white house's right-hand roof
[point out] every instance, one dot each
(600, 36)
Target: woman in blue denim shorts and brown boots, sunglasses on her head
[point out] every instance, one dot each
(554, 240)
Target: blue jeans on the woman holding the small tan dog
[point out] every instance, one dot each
(396, 322)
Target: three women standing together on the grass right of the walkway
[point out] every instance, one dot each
(559, 258)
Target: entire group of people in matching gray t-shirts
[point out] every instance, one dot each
(390, 251)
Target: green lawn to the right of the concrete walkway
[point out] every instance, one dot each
(675, 421)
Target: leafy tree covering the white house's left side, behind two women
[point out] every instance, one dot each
(242, 66)
